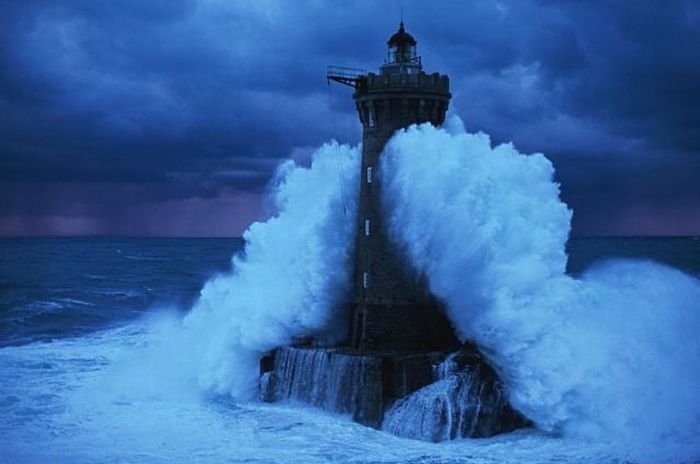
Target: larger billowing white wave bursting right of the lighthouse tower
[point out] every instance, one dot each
(611, 356)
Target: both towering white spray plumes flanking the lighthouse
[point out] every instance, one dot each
(611, 356)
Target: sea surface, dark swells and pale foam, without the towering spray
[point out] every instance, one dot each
(79, 382)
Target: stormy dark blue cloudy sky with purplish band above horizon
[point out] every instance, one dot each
(169, 117)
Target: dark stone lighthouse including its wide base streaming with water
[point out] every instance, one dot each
(399, 342)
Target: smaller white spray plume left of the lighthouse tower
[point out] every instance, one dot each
(288, 282)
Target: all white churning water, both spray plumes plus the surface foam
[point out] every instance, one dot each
(612, 356)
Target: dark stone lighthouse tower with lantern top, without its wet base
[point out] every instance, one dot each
(391, 307)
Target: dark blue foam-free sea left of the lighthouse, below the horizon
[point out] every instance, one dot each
(56, 287)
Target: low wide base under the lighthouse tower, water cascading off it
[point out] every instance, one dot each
(431, 397)
